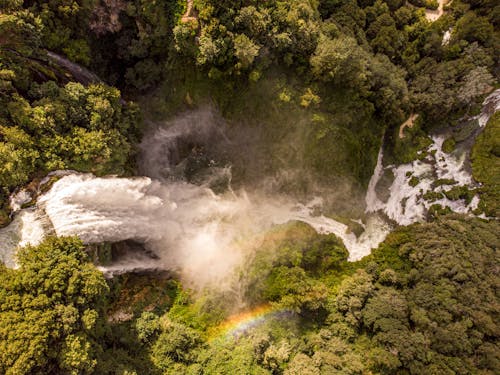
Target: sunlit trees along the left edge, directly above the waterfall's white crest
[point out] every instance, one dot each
(47, 125)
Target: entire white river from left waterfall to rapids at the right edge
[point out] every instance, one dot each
(191, 229)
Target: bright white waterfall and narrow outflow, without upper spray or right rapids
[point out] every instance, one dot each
(188, 227)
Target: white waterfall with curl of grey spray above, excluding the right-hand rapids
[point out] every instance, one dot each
(187, 226)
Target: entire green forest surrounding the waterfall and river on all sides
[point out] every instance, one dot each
(318, 87)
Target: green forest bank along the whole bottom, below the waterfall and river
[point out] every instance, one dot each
(424, 299)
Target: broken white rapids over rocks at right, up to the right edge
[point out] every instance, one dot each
(406, 203)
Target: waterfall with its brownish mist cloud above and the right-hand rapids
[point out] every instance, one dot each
(186, 215)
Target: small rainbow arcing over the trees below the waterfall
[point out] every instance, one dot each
(238, 324)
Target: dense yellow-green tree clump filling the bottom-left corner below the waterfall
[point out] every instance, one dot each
(51, 310)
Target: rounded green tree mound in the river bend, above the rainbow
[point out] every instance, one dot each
(282, 267)
